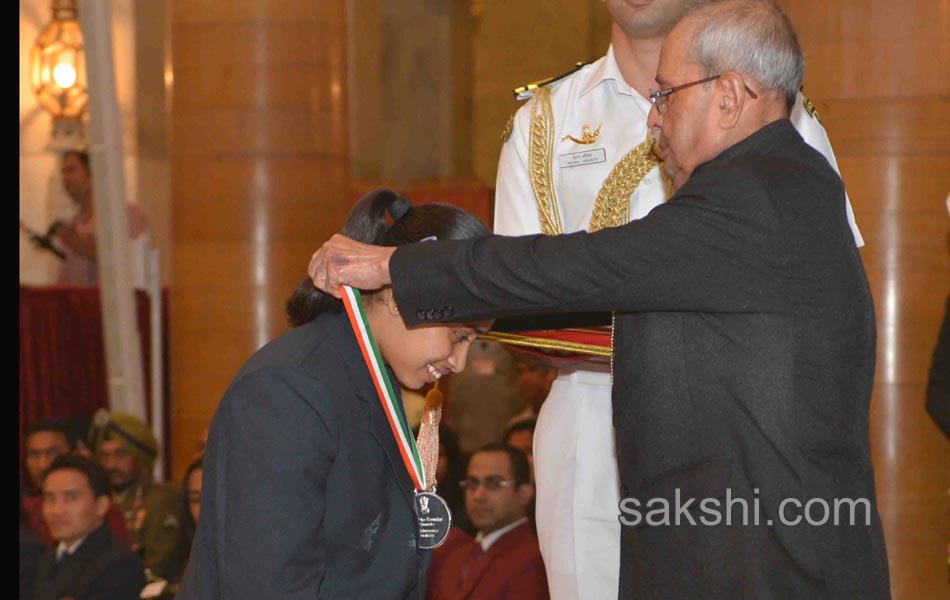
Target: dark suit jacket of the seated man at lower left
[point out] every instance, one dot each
(102, 568)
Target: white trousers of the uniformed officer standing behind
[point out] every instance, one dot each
(578, 488)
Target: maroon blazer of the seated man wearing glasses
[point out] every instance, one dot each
(512, 569)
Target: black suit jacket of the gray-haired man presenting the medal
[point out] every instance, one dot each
(744, 350)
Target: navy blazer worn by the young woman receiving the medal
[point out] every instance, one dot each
(304, 494)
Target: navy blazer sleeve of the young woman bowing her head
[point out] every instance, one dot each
(275, 448)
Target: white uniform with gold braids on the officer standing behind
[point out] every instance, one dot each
(577, 157)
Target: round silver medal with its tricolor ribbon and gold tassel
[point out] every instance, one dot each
(433, 516)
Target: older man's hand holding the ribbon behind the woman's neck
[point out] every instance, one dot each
(343, 261)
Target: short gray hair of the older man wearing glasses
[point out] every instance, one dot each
(752, 37)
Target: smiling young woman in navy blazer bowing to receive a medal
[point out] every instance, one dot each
(313, 484)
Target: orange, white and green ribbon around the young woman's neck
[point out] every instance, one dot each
(353, 302)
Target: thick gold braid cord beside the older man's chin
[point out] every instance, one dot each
(612, 207)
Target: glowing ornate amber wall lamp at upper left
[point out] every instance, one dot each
(58, 75)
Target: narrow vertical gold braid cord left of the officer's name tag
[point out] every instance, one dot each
(540, 150)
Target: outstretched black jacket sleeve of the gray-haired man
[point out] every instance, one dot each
(715, 252)
